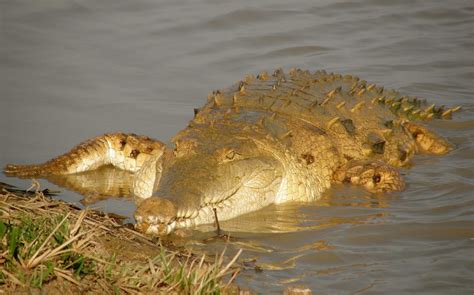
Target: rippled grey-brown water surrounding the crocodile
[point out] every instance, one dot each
(71, 70)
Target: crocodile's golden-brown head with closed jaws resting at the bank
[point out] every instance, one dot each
(210, 172)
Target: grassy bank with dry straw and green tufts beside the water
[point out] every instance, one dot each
(54, 247)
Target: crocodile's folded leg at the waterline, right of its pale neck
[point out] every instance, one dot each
(375, 176)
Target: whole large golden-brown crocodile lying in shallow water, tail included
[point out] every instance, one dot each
(267, 139)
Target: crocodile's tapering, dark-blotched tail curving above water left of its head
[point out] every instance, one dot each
(124, 151)
